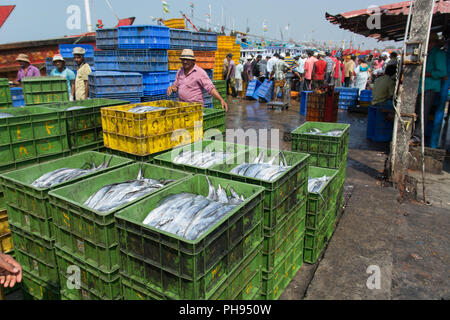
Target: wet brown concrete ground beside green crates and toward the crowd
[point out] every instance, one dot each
(408, 243)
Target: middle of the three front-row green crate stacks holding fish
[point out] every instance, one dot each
(88, 238)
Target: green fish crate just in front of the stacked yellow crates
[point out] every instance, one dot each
(165, 159)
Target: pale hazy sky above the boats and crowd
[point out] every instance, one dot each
(46, 19)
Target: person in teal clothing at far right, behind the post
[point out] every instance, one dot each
(436, 72)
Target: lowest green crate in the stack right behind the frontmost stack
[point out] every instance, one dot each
(275, 282)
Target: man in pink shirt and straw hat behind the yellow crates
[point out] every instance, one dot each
(191, 80)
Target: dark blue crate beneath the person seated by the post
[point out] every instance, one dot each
(378, 128)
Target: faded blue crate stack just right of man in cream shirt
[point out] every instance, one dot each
(118, 85)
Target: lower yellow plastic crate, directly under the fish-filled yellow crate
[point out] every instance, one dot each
(151, 145)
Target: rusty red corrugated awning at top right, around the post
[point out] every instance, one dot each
(393, 20)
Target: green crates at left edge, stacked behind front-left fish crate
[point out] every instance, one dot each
(33, 134)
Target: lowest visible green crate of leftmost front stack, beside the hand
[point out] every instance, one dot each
(34, 288)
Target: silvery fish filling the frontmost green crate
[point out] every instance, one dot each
(190, 215)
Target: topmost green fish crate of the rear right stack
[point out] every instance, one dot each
(325, 151)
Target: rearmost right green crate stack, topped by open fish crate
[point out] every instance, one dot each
(326, 152)
